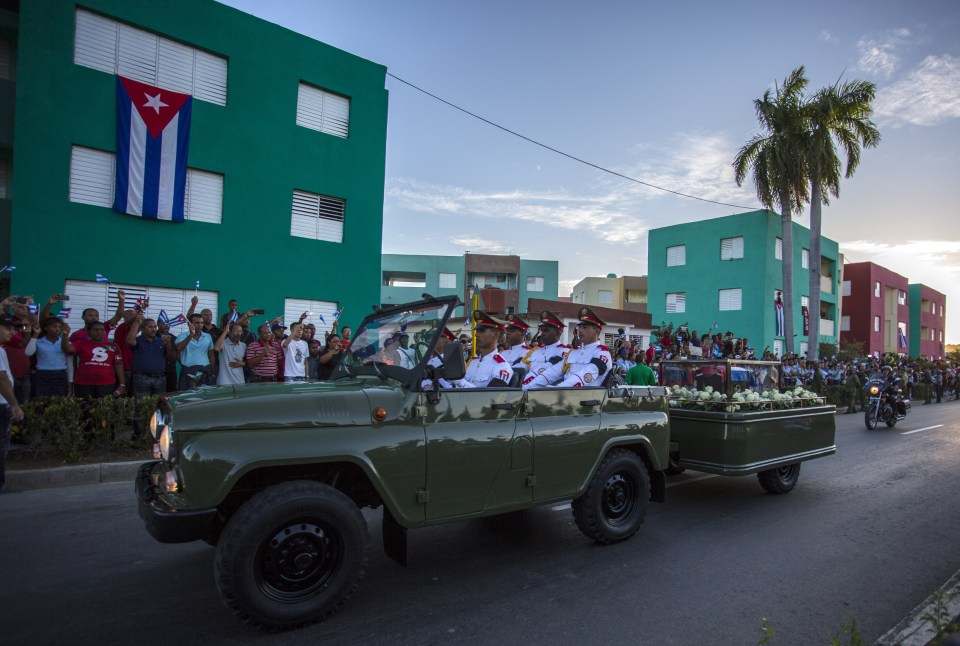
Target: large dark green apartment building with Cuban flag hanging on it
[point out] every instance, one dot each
(283, 197)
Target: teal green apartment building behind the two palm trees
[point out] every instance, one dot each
(728, 271)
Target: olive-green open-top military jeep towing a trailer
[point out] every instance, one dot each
(275, 475)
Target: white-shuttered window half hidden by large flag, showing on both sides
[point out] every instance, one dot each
(93, 173)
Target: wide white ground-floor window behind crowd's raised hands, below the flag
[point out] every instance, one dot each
(103, 298)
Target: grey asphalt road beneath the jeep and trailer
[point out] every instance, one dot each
(867, 533)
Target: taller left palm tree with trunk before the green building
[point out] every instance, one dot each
(774, 158)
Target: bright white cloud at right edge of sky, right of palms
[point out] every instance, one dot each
(928, 95)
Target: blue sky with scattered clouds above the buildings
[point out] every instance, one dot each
(661, 92)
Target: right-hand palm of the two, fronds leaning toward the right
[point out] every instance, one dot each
(836, 115)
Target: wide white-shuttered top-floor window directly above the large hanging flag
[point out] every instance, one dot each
(115, 48)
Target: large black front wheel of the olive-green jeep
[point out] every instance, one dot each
(291, 555)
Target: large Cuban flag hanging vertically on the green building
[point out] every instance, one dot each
(153, 134)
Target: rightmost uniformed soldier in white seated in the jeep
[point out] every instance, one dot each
(587, 365)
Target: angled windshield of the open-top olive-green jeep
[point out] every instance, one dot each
(395, 342)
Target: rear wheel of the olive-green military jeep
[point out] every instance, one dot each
(615, 503)
